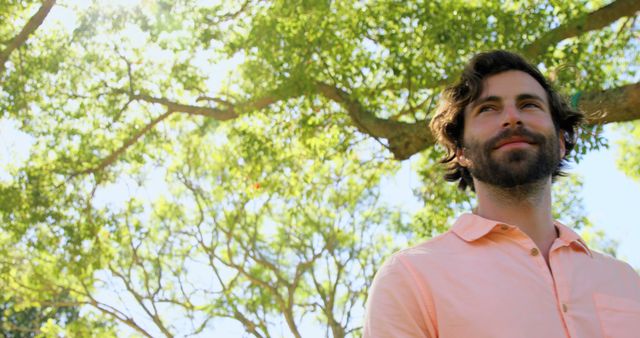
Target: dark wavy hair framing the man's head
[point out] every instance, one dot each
(448, 122)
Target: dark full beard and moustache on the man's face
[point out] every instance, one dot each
(511, 168)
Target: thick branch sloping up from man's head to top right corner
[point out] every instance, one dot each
(595, 20)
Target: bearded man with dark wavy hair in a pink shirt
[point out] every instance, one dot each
(507, 270)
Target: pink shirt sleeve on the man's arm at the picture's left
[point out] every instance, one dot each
(395, 306)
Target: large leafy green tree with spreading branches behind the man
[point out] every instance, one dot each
(254, 195)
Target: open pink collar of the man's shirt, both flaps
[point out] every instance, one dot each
(471, 227)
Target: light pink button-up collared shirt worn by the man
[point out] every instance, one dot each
(486, 279)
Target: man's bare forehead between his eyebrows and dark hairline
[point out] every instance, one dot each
(510, 84)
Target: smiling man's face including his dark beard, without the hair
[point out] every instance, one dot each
(509, 136)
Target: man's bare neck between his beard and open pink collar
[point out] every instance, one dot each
(527, 206)
